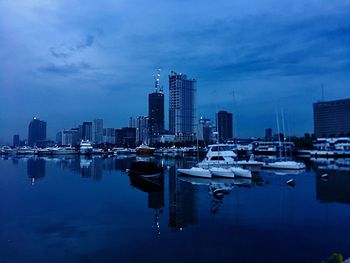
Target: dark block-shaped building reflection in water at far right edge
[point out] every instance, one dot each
(333, 185)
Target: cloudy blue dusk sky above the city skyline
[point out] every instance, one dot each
(69, 61)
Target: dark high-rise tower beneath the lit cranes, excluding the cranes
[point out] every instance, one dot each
(156, 113)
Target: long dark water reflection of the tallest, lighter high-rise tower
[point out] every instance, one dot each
(182, 203)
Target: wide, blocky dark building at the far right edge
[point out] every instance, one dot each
(332, 118)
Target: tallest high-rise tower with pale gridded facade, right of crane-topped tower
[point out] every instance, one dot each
(182, 92)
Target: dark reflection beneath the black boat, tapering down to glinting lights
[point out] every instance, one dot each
(154, 187)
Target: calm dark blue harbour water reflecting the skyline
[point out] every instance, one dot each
(77, 209)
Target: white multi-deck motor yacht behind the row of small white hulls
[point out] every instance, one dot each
(219, 155)
